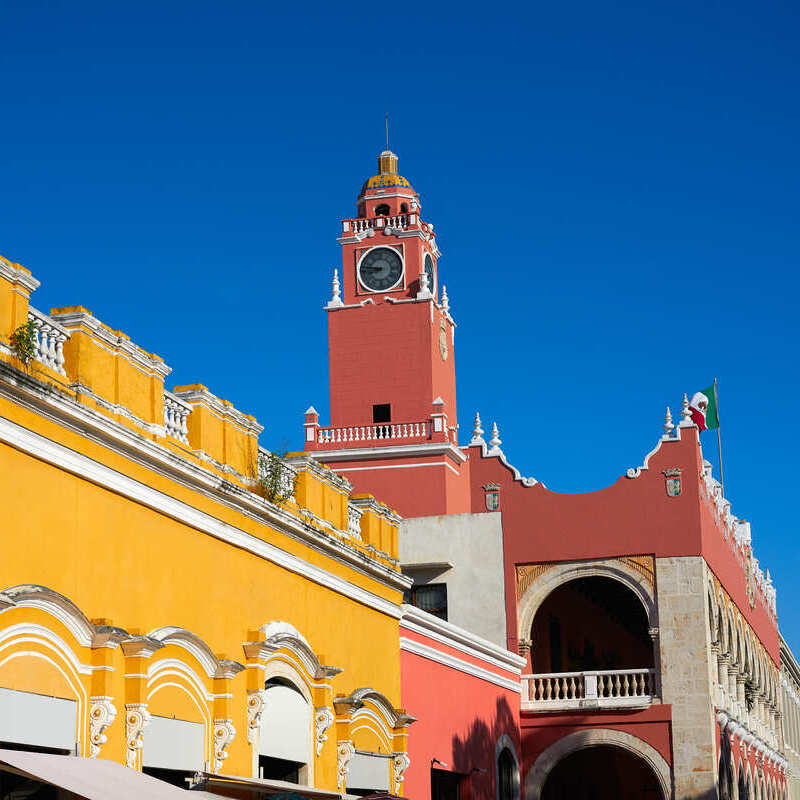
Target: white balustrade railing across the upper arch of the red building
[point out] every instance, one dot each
(614, 688)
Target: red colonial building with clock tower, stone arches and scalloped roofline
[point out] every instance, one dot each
(648, 630)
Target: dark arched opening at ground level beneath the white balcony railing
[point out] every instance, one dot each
(602, 773)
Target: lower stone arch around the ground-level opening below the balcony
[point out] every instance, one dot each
(595, 737)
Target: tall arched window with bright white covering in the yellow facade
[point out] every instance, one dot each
(285, 740)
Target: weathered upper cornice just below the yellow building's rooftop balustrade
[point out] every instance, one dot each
(97, 428)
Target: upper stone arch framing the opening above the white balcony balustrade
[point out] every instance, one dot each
(559, 574)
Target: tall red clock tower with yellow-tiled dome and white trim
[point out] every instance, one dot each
(393, 426)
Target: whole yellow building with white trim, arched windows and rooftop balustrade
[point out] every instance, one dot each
(162, 592)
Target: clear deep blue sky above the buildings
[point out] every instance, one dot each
(614, 186)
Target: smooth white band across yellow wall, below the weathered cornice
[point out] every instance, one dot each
(72, 461)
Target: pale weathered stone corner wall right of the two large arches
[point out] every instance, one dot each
(686, 673)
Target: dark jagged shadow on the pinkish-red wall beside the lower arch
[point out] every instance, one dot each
(474, 752)
